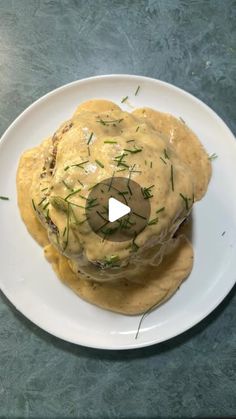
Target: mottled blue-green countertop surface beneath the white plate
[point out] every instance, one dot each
(44, 44)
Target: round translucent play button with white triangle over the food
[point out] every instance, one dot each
(117, 209)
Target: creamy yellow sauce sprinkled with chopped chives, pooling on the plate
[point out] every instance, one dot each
(170, 157)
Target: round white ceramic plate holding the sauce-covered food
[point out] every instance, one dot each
(28, 280)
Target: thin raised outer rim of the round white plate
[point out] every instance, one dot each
(180, 330)
